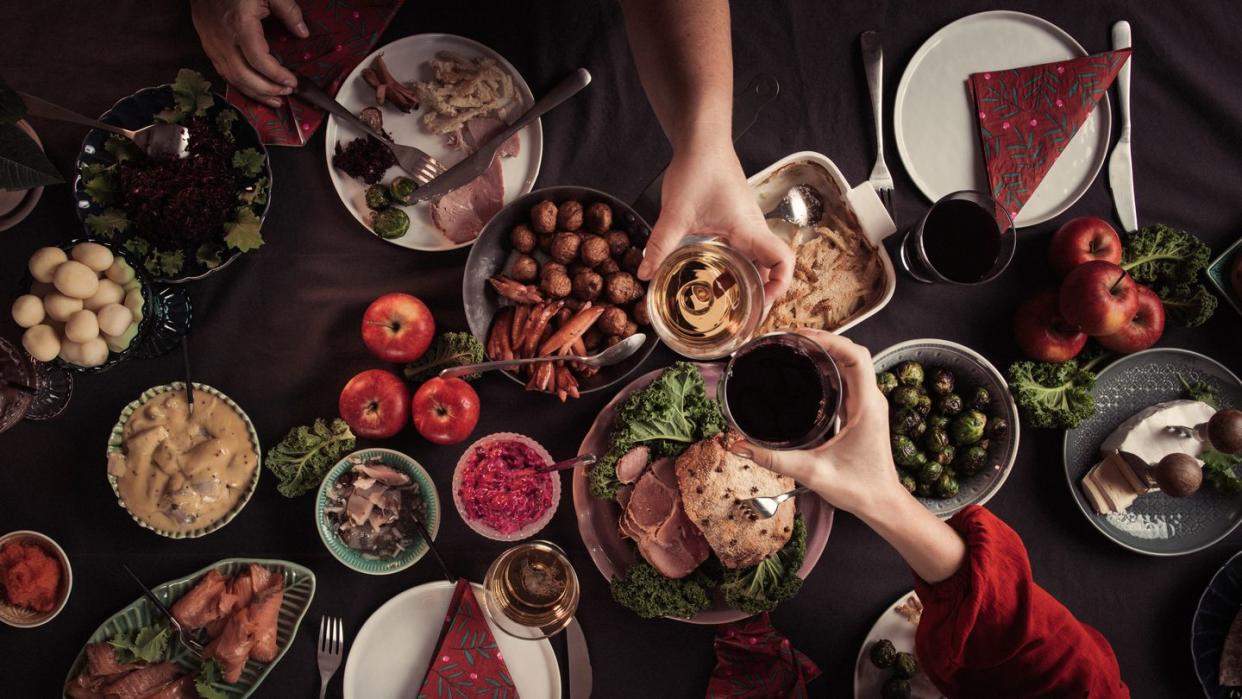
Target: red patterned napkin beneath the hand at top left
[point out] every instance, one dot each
(342, 34)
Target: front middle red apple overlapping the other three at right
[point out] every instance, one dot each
(1100, 297)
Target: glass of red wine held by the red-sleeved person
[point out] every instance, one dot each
(782, 392)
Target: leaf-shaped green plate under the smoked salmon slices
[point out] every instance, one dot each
(299, 592)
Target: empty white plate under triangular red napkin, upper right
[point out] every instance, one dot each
(935, 117)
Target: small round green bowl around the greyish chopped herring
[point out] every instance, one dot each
(353, 559)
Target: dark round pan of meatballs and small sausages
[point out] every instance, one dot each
(556, 273)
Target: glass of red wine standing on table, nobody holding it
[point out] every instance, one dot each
(964, 239)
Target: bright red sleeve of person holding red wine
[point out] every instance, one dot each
(990, 631)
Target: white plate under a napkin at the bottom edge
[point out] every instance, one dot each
(391, 655)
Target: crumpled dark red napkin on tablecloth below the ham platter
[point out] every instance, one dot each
(755, 661)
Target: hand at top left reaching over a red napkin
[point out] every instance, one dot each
(233, 37)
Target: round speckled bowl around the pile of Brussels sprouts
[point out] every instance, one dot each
(972, 371)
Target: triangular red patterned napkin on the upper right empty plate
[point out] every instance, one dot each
(1029, 116)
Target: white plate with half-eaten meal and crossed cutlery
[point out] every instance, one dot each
(408, 61)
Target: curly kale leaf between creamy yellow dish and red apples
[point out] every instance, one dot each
(306, 454)
